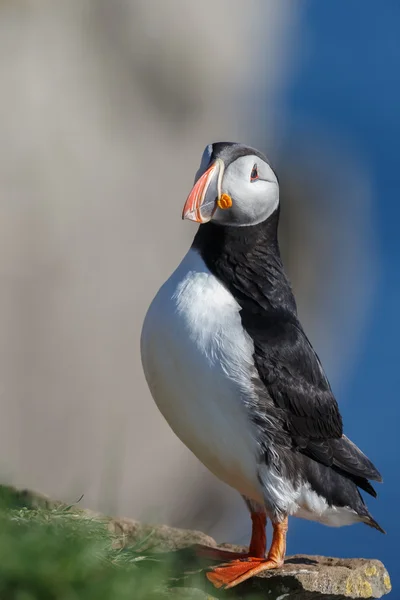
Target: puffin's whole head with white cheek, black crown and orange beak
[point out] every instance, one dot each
(234, 186)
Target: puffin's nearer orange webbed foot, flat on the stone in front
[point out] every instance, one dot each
(237, 571)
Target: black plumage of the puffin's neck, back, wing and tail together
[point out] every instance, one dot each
(293, 390)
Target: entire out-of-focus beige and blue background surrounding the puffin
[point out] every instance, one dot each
(105, 110)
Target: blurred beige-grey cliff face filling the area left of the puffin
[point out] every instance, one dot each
(105, 110)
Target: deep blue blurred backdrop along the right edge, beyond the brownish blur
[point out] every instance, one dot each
(348, 81)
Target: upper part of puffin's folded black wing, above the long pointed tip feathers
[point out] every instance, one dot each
(291, 371)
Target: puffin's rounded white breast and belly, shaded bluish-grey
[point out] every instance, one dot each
(197, 359)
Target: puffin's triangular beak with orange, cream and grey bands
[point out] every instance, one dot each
(201, 203)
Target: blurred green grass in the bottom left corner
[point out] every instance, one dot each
(58, 553)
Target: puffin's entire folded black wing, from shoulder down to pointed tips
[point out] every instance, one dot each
(292, 373)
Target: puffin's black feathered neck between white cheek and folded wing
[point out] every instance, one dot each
(247, 261)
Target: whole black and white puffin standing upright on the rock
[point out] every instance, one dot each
(231, 369)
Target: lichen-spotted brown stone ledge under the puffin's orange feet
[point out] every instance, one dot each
(301, 578)
